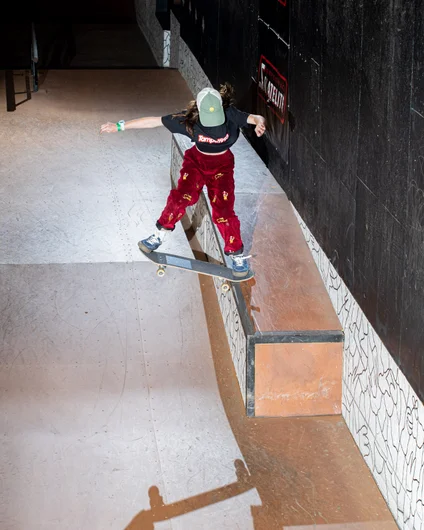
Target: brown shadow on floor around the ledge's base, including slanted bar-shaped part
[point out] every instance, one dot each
(307, 471)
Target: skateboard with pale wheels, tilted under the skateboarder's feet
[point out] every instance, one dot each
(163, 260)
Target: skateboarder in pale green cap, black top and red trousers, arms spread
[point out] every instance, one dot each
(213, 123)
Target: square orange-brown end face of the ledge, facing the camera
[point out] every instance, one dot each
(298, 379)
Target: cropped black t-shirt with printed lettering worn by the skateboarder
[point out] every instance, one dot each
(210, 139)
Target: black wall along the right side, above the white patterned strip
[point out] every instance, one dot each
(349, 146)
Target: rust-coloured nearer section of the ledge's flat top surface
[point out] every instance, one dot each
(288, 291)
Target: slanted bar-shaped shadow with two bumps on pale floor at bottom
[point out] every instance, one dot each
(159, 511)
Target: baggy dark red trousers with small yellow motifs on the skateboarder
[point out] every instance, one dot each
(217, 173)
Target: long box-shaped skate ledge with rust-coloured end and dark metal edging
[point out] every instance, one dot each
(284, 335)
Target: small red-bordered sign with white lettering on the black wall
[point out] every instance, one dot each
(272, 88)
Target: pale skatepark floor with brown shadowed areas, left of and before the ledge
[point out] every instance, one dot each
(120, 406)
